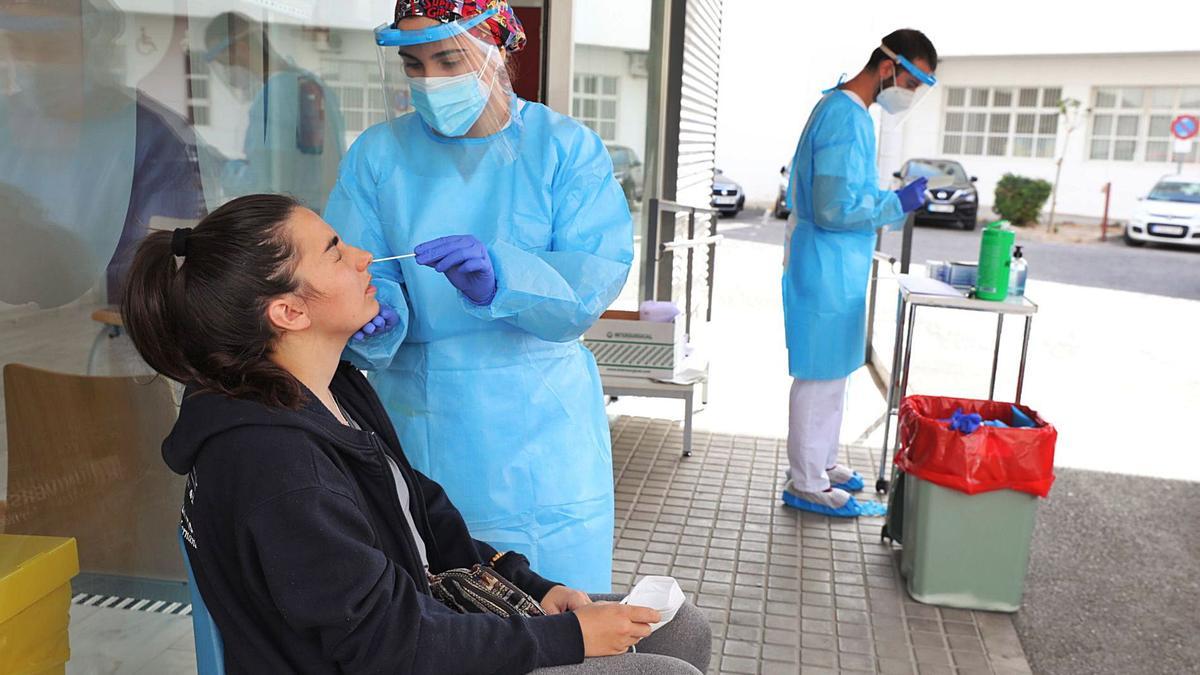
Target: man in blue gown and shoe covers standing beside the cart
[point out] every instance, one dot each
(837, 208)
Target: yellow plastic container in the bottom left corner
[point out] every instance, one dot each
(35, 604)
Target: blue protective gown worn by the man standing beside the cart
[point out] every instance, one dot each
(837, 206)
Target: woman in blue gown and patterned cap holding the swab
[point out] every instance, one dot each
(523, 238)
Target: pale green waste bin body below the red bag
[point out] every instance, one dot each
(969, 552)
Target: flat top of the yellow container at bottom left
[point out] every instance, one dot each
(32, 568)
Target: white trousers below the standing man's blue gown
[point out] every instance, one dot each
(814, 426)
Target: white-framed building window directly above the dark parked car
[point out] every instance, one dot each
(1001, 122)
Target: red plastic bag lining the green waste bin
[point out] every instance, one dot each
(991, 459)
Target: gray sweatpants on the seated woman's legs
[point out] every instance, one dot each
(681, 648)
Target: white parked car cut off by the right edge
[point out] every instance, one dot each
(1171, 214)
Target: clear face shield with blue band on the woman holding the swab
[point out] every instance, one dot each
(454, 77)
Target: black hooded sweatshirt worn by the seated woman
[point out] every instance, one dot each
(304, 558)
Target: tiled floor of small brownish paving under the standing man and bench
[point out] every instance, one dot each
(785, 593)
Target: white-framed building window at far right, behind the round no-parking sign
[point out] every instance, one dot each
(1135, 123)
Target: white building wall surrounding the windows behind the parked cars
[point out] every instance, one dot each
(1083, 180)
